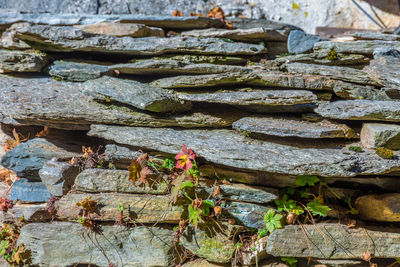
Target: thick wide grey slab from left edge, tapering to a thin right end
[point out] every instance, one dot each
(43, 101)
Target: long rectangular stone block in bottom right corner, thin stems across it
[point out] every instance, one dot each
(340, 242)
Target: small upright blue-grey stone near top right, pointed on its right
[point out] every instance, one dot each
(300, 42)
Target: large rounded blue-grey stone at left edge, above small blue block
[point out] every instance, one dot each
(28, 158)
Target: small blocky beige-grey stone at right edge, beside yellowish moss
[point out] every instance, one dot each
(374, 135)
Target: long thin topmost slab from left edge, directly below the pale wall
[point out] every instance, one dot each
(168, 22)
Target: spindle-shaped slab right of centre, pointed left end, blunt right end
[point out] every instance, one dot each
(258, 100)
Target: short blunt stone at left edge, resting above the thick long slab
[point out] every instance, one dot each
(19, 61)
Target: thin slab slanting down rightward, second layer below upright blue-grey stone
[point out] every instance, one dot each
(334, 72)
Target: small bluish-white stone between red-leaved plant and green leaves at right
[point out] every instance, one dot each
(247, 214)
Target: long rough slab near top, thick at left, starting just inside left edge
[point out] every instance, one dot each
(69, 39)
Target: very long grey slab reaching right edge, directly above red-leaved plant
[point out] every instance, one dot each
(216, 146)
